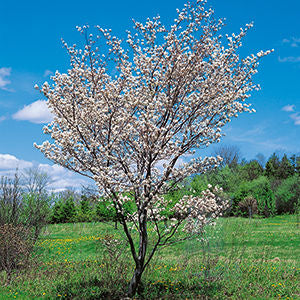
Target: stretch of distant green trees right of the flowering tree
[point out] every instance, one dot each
(259, 186)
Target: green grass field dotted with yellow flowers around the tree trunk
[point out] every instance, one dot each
(238, 259)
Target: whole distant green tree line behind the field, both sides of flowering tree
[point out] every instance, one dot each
(264, 187)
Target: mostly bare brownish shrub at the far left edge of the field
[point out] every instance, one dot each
(21, 219)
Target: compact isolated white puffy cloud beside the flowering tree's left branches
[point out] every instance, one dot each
(36, 112)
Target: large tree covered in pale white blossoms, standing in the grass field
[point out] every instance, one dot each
(125, 116)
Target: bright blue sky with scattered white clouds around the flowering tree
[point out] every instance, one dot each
(31, 50)
